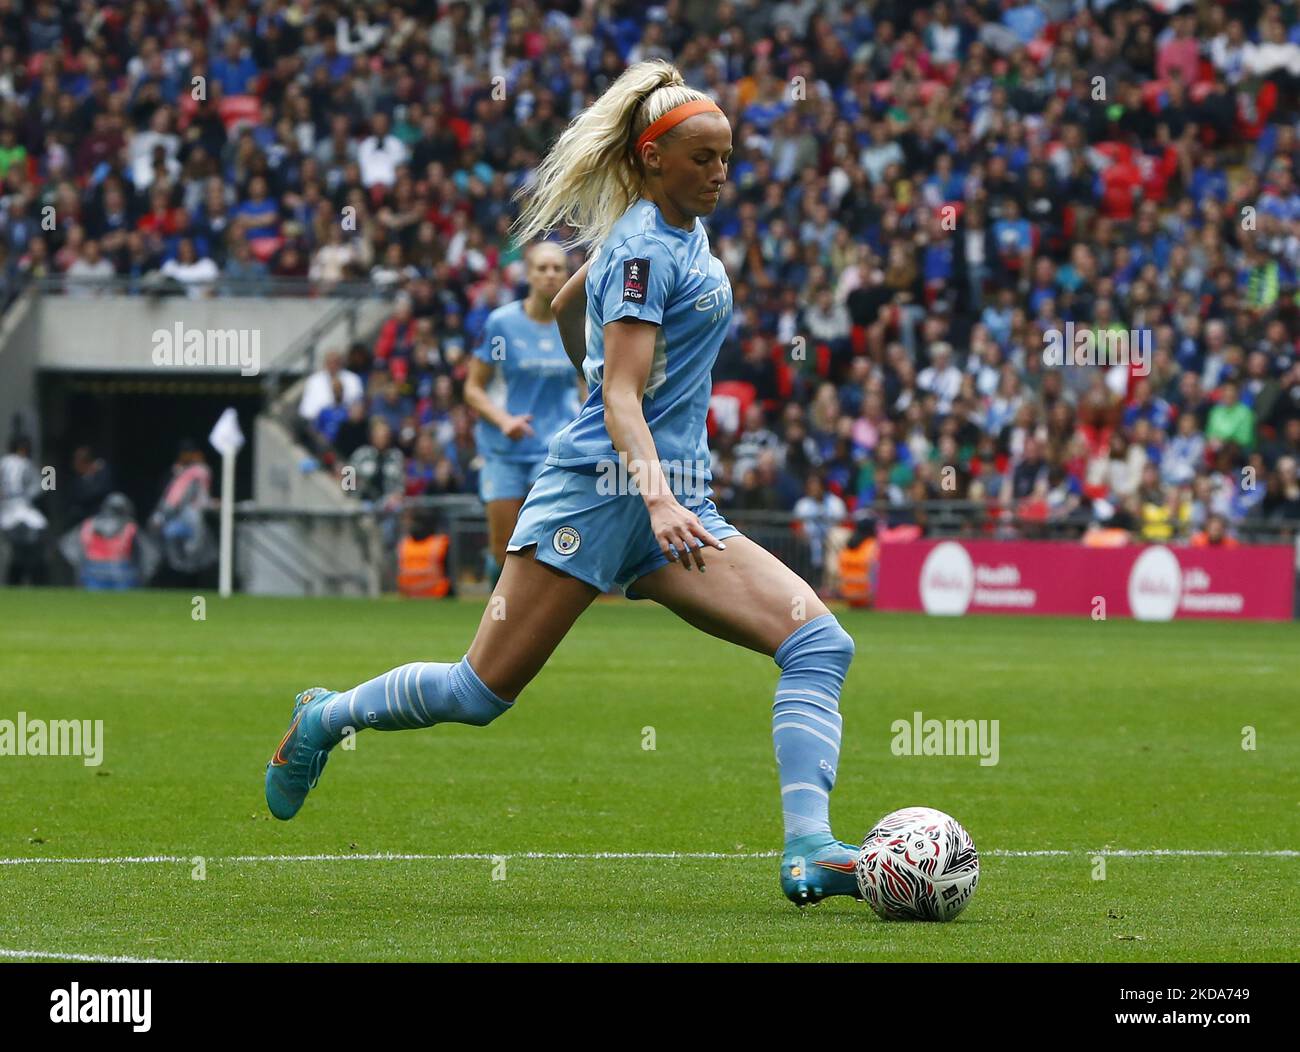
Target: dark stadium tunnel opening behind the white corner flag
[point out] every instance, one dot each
(136, 423)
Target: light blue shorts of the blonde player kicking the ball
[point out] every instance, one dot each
(599, 538)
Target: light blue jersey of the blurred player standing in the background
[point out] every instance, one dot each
(532, 375)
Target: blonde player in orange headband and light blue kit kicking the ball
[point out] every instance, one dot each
(631, 175)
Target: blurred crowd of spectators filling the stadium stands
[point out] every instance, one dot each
(921, 196)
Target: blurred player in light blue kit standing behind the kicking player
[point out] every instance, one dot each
(521, 384)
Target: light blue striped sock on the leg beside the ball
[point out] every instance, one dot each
(807, 722)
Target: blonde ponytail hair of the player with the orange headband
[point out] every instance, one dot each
(591, 178)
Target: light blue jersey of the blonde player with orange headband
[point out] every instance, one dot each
(651, 271)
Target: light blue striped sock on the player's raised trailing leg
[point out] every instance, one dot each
(418, 695)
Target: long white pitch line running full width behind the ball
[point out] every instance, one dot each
(146, 860)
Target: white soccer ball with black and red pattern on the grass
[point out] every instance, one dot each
(918, 865)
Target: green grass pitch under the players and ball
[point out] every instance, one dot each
(1113, 737)
